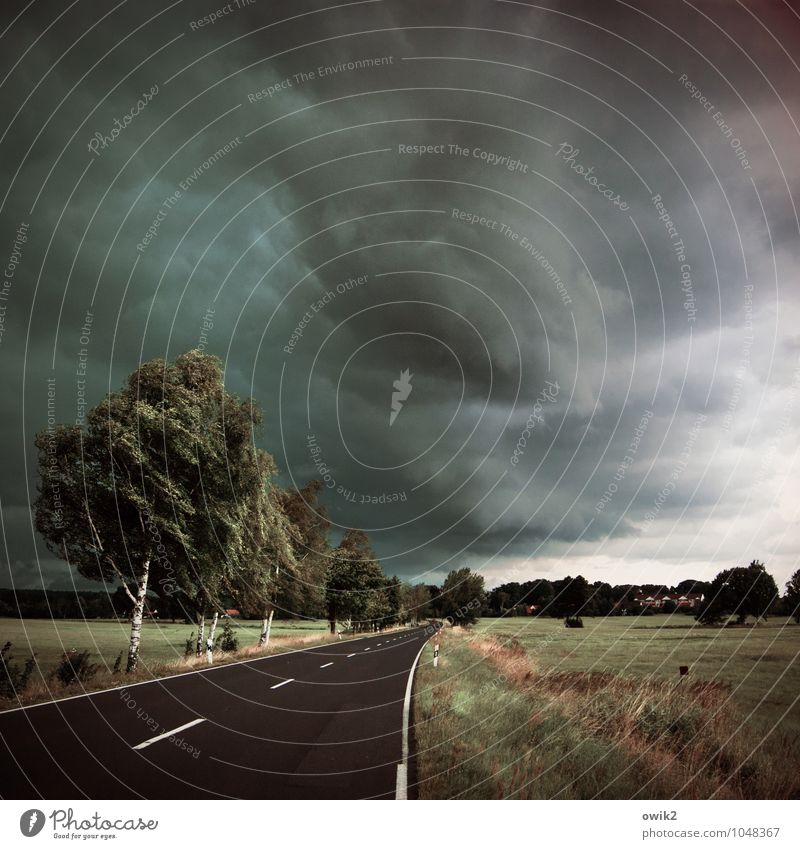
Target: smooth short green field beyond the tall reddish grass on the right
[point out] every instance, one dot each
(760, 664)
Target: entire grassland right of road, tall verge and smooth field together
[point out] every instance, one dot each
(526, 708)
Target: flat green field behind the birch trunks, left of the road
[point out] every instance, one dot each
(162, 642)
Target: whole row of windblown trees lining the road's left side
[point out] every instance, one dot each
(164, 494)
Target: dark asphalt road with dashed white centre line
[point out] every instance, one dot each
(322, 723)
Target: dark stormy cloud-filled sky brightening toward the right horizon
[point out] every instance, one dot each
(573, 224)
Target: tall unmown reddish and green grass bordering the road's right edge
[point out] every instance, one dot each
(493, 722)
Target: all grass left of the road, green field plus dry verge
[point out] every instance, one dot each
(162, 653)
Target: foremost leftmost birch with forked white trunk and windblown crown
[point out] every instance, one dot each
(105, 502)
